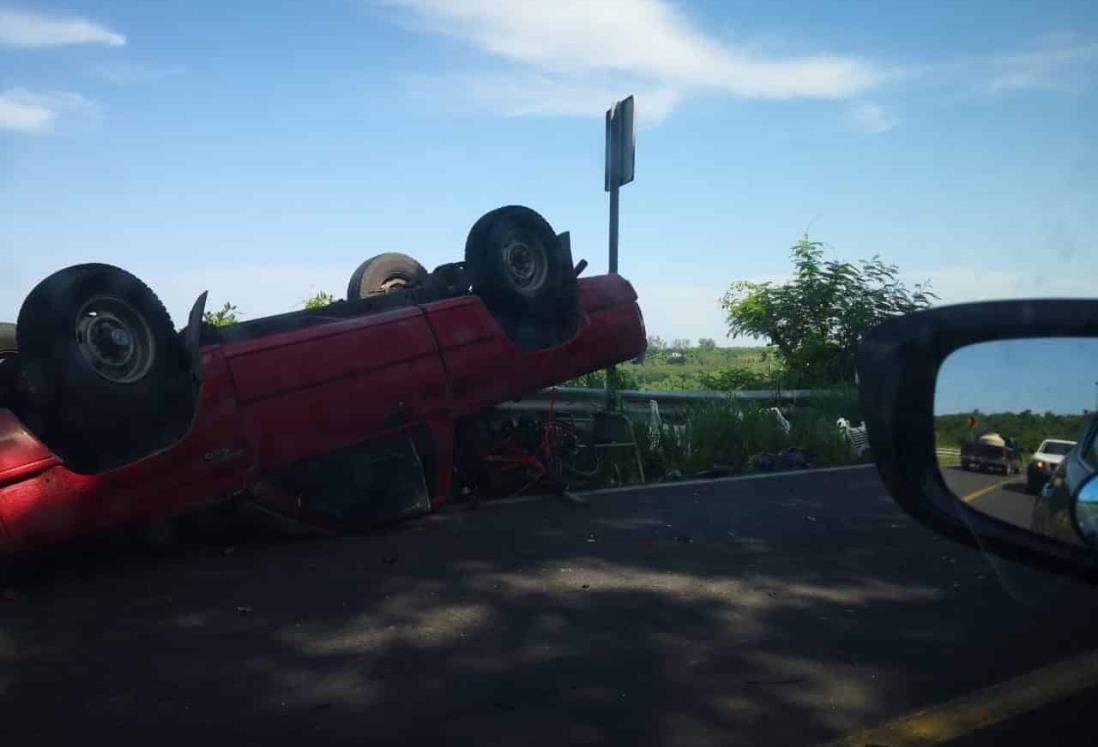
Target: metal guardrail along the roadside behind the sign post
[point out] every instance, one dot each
(575, 399)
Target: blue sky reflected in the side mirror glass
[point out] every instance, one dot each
(1046, 375)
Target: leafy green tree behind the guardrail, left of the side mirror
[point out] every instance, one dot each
(816, 319)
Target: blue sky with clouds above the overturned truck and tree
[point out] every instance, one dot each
(263, 150)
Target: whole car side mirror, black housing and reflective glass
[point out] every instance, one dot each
(982, 421)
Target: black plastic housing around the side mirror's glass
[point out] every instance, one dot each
(898, 369)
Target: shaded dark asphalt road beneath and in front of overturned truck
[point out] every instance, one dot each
(781, 611)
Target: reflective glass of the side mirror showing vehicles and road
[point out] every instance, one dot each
(1010, 418)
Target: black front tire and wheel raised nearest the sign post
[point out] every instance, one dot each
(514, 264)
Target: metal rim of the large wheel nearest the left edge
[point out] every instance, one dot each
(115, 340)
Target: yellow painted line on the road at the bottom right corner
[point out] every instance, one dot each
(984, 708)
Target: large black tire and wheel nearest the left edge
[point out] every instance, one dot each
(103, 371)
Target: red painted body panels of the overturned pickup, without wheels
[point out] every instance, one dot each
(275, 400)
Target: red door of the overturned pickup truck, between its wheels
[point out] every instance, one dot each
(337, 388)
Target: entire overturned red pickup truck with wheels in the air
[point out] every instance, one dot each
(109, 416)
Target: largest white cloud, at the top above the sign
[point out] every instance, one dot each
(643, 44)
